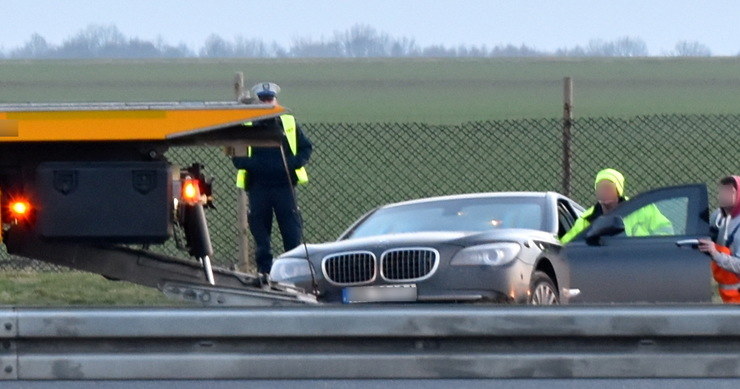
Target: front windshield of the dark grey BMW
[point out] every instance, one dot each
(466, 215)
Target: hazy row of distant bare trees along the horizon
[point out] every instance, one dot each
(359, 41)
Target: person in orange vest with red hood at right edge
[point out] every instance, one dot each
(725, 249)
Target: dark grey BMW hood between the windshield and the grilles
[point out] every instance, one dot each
(461, 239)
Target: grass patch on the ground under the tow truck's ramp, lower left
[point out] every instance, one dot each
(30, 288)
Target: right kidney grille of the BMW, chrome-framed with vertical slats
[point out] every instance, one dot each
(408, 264)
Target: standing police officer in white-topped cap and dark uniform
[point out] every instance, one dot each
(270, 188)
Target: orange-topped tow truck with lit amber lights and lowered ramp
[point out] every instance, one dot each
(88, 186)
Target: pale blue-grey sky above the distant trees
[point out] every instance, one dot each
(545, 25)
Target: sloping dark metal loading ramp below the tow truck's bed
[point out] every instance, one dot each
(178, 278)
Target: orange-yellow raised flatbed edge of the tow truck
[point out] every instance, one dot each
(111, 122)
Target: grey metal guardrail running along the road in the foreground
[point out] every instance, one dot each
(371, 342)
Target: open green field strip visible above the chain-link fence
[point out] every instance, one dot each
(394, 90)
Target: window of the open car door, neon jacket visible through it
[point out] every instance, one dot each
(661, 218)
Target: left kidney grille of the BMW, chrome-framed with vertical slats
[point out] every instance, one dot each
(350, 268)
